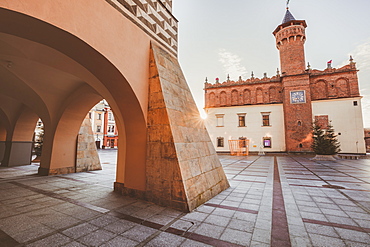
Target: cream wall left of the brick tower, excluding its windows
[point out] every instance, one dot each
(254, 130)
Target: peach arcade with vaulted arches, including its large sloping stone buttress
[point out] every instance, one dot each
(59, 65)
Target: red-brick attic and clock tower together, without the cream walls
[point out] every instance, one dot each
(304, 84)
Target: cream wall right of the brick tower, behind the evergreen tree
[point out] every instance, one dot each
(345, 119)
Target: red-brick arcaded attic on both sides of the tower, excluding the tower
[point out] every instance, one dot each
(330, 83)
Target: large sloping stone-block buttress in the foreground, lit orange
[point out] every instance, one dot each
(183, 170)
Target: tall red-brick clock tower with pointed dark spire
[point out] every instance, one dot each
(290, 38)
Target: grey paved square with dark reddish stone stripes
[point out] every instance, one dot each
(272, 201)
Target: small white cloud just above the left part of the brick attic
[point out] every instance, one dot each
(232, 64)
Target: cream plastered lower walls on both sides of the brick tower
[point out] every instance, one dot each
(266, 122)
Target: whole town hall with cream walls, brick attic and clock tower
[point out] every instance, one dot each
(276, 114)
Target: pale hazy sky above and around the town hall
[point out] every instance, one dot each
(221, 37)
